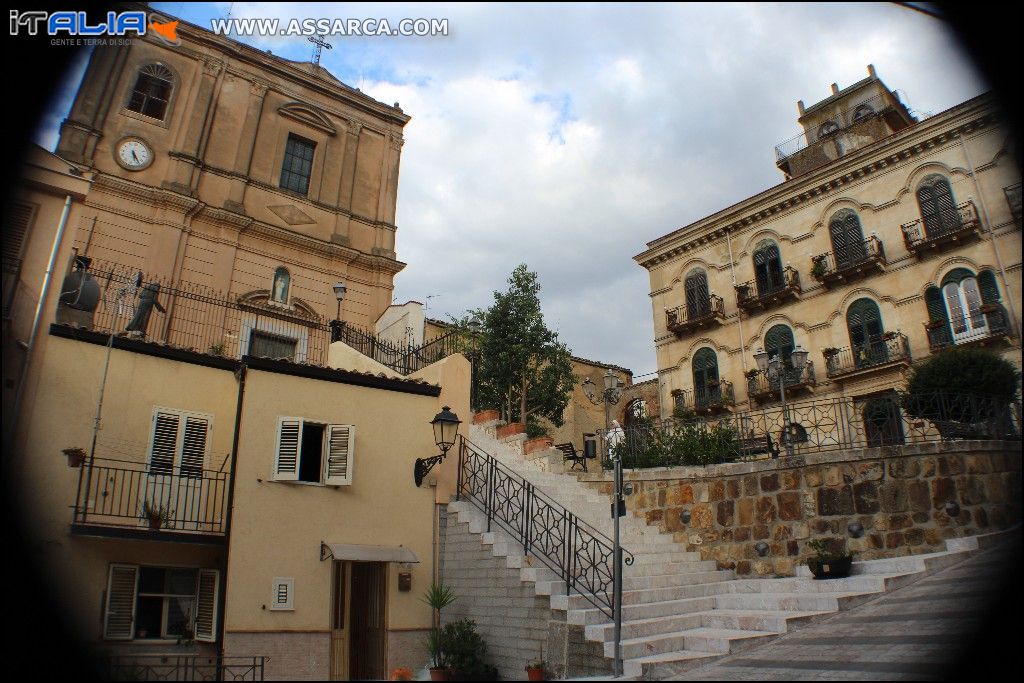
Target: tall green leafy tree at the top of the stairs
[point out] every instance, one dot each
(523, 369)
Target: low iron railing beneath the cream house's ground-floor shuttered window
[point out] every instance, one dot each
(183, 668)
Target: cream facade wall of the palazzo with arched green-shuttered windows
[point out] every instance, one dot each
(879, 184)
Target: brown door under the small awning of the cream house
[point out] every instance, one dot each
(368, 621)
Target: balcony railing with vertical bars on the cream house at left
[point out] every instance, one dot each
(113, 497)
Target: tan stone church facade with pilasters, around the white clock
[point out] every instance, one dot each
(209, 209)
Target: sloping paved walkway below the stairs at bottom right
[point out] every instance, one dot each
(943, 627)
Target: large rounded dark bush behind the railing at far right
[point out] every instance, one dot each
(973, 371)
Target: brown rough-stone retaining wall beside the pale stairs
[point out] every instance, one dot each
(899, 494)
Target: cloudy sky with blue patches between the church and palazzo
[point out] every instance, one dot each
(569, 137)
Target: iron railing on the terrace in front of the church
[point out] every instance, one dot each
(199, 319)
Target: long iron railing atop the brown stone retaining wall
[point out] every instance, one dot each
(819, 426)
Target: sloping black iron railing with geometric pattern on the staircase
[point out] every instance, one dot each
(581, 556)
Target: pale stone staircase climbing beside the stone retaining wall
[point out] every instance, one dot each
(680, 612)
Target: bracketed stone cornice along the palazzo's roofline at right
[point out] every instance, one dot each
(941, 130)
